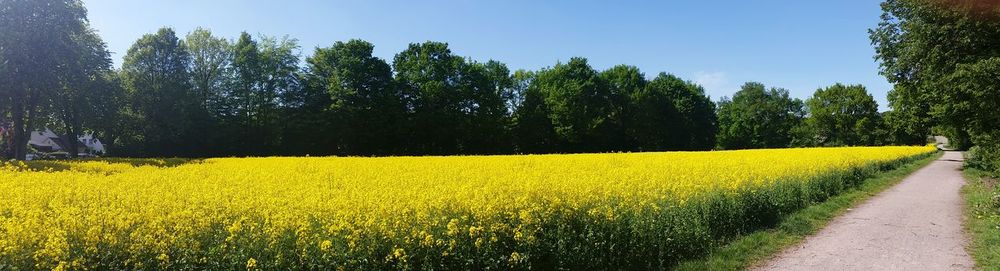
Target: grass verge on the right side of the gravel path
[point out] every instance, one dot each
(982, 218)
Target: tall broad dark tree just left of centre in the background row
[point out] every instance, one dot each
(454, 106)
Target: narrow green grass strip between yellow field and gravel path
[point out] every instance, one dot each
(745, 251)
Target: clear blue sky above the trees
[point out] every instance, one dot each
(798, 45)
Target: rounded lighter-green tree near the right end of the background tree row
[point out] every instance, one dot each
(845, 115)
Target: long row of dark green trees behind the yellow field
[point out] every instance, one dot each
(201, 95)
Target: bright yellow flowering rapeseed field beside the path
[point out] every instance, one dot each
(579, 211)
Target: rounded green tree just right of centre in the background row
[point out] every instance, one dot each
(580, 104)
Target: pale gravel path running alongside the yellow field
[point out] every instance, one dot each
(916, 225)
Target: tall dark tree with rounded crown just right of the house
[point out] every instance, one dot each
(155, 76)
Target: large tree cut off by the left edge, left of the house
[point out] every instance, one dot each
(37, 41)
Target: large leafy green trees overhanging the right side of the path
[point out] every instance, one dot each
(943, 58)
